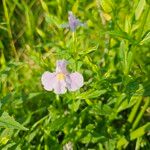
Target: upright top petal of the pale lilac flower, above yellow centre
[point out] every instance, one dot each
(61, 66)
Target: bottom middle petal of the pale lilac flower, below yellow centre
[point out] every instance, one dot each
(60, 87)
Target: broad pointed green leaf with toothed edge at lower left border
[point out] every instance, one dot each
(9, 122)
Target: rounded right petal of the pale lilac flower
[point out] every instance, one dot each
(76, 81)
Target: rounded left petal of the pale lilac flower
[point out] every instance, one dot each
(48, 80)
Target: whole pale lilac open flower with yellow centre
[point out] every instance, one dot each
(61, 79)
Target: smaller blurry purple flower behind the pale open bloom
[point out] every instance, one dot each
(73, 22)
